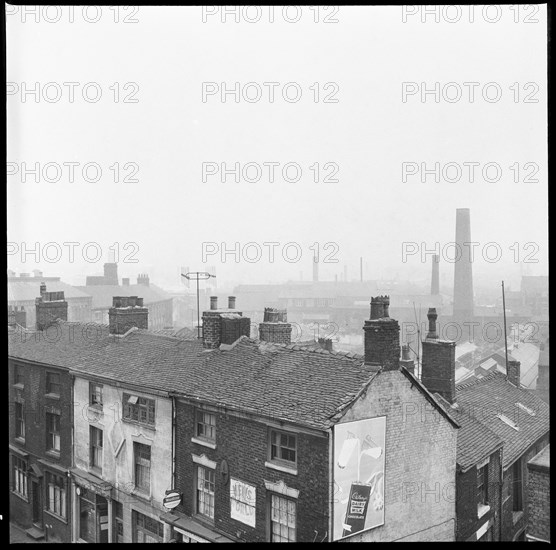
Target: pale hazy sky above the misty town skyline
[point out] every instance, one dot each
(367, 134)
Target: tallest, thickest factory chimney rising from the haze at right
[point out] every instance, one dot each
(463, 270)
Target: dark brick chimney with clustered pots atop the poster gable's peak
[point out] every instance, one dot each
(382, 336)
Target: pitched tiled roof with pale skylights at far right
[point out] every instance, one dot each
(487, 400)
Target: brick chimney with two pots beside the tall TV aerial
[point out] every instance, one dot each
(223, 326)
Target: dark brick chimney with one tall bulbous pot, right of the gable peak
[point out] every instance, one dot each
(438, 369)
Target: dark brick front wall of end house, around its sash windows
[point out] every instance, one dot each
(243, 443)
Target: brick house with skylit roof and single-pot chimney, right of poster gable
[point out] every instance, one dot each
(502, 427)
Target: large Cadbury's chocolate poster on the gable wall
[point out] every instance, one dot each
(359, 476)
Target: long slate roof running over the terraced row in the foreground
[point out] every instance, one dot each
(290, 383)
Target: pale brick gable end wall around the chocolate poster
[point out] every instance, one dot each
(420, 455)
